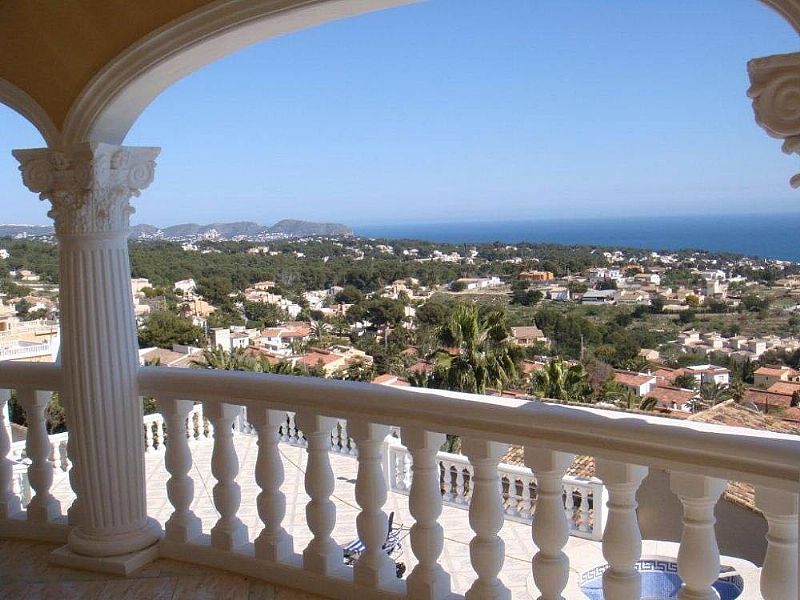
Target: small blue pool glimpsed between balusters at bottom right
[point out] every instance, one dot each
(660, 581)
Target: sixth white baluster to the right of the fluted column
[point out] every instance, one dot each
(428, 580)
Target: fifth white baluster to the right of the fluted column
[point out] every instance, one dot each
(373, 568)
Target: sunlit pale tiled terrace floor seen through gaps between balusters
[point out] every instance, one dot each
(583, 554)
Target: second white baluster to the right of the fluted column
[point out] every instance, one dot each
(229, 532)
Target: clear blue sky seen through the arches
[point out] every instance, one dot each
(467, 110)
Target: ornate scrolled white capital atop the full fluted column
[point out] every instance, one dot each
(89, 185)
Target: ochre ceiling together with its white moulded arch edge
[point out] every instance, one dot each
(86, 70)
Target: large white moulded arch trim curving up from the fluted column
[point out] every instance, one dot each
(120, 91)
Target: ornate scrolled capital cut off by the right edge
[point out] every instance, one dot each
(775, 90)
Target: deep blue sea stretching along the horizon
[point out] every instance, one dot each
(768, 236)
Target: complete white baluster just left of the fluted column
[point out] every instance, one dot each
(43, 506)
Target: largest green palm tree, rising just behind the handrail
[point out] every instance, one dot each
(483, 355)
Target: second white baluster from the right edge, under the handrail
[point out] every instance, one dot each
(698, 557)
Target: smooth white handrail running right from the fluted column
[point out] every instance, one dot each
(713, 450)
